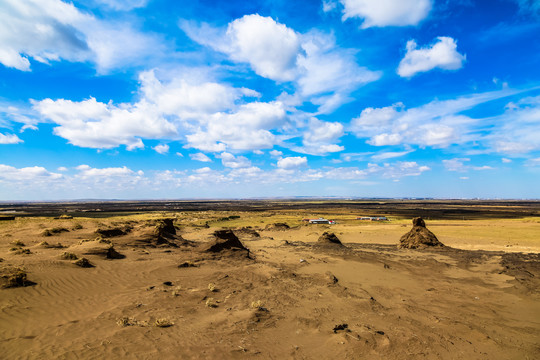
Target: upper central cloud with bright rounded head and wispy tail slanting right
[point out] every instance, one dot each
(322, 72)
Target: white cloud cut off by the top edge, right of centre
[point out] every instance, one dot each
(386, 12)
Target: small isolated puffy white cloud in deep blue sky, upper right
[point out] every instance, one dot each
(442, 54)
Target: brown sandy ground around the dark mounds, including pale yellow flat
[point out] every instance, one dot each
(290, 299)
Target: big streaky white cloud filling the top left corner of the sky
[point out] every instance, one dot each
(53, 30)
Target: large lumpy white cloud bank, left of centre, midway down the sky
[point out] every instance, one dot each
(163, 110)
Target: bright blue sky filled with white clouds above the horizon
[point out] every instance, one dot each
(153, 99)
